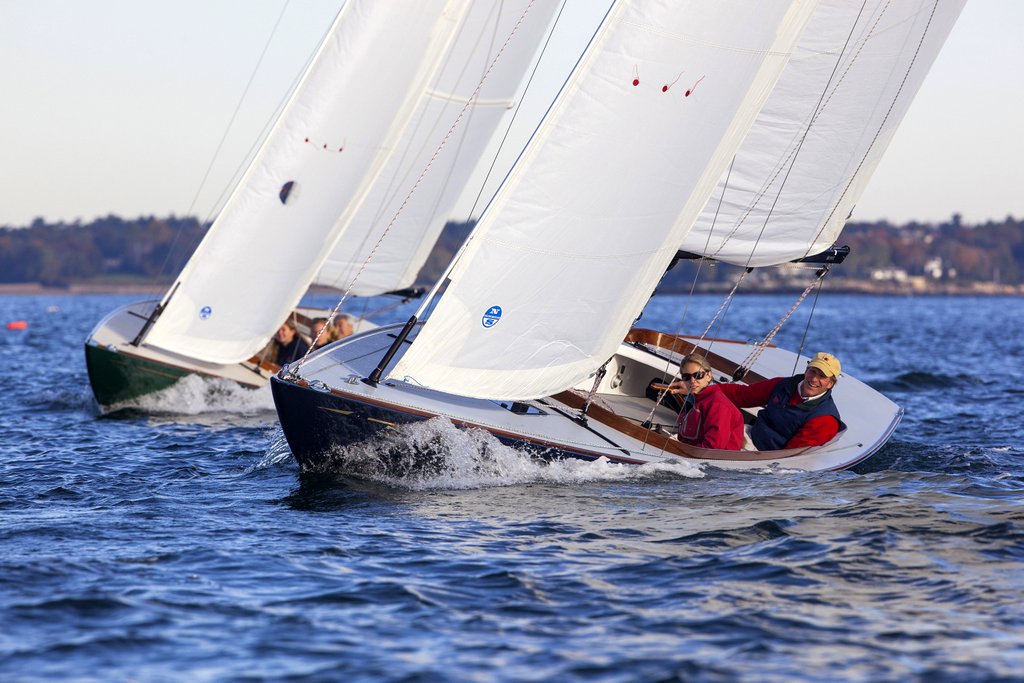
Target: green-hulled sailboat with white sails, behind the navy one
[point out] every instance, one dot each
(374, 108)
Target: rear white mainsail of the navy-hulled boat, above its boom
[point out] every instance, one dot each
(823, 132)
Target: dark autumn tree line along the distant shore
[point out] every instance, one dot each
(152, 250)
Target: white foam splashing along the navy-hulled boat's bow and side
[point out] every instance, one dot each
(436, 454)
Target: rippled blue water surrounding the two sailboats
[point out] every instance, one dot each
(181, 543)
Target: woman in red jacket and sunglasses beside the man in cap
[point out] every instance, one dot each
(708, 419)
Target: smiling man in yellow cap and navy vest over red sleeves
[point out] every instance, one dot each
(799, 411)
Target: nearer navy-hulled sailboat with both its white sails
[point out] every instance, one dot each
(734, 133)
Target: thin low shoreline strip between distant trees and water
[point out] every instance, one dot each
(834, 287)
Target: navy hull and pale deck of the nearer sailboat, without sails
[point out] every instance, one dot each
(325, 407)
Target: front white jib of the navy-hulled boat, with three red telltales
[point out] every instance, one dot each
(578, 237)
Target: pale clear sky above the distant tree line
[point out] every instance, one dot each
(121, 107)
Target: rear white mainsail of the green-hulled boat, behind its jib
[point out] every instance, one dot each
(419, 218)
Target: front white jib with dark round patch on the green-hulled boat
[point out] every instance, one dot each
(343, 129)
